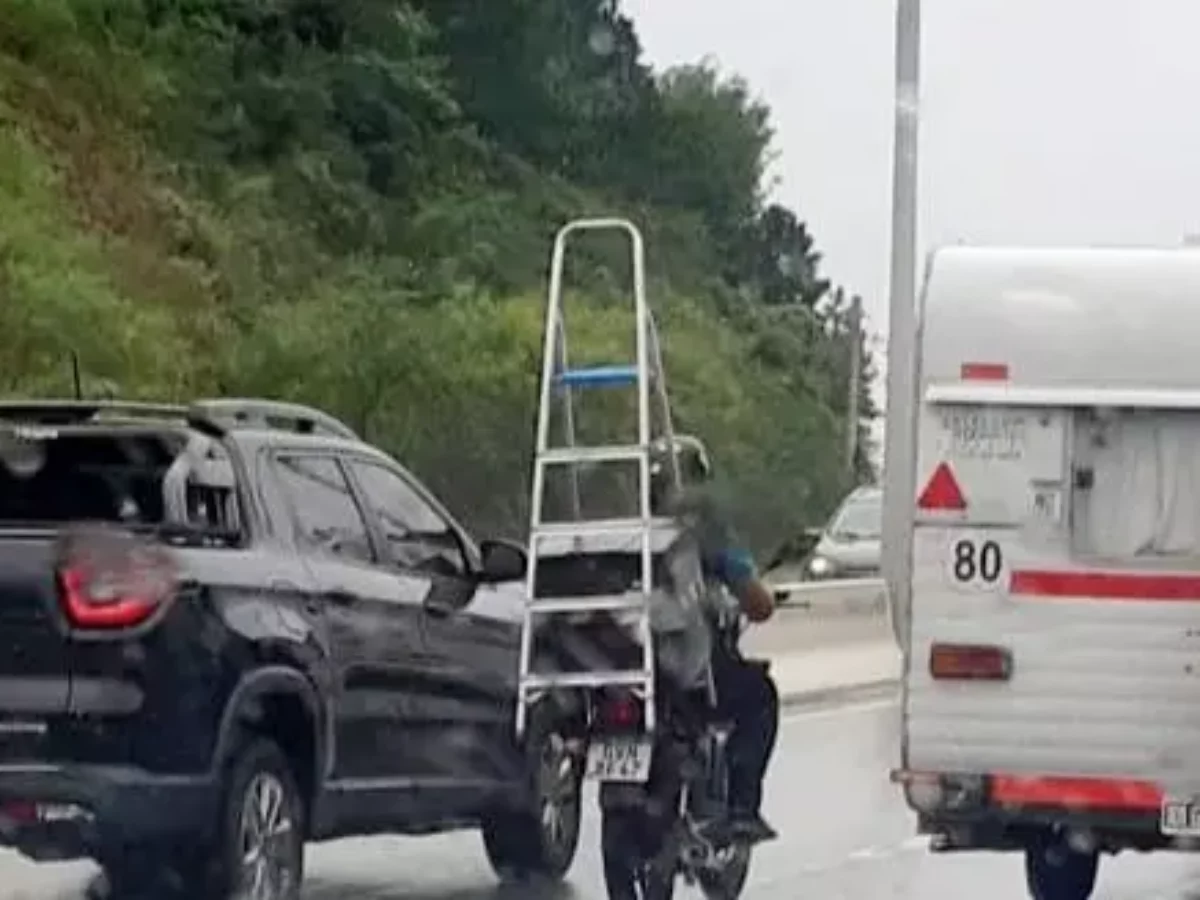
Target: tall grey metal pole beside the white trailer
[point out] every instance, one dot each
(899, 463)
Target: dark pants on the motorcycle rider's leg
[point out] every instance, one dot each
(748, 697)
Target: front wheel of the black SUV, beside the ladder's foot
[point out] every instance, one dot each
(539, 841)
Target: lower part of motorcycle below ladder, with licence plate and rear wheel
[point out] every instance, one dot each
(664, 799)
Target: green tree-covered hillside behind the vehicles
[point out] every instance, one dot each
(351, 203)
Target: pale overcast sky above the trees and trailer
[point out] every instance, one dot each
(1043, 122)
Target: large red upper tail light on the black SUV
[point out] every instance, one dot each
(110, 579)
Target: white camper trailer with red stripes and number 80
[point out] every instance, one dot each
(1052, 699)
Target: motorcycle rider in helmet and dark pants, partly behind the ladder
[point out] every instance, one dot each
(746, 693)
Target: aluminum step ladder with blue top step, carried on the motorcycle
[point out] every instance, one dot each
(560, 383)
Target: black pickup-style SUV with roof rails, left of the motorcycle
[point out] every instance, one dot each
(231, 628)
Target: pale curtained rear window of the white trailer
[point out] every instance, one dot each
(1137, 484)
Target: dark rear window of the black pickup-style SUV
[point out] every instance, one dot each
(51, 477)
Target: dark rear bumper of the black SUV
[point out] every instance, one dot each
(73, 812)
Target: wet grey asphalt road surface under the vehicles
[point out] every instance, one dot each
(845, 835)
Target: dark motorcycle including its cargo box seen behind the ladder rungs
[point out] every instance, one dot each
(664, 795)
